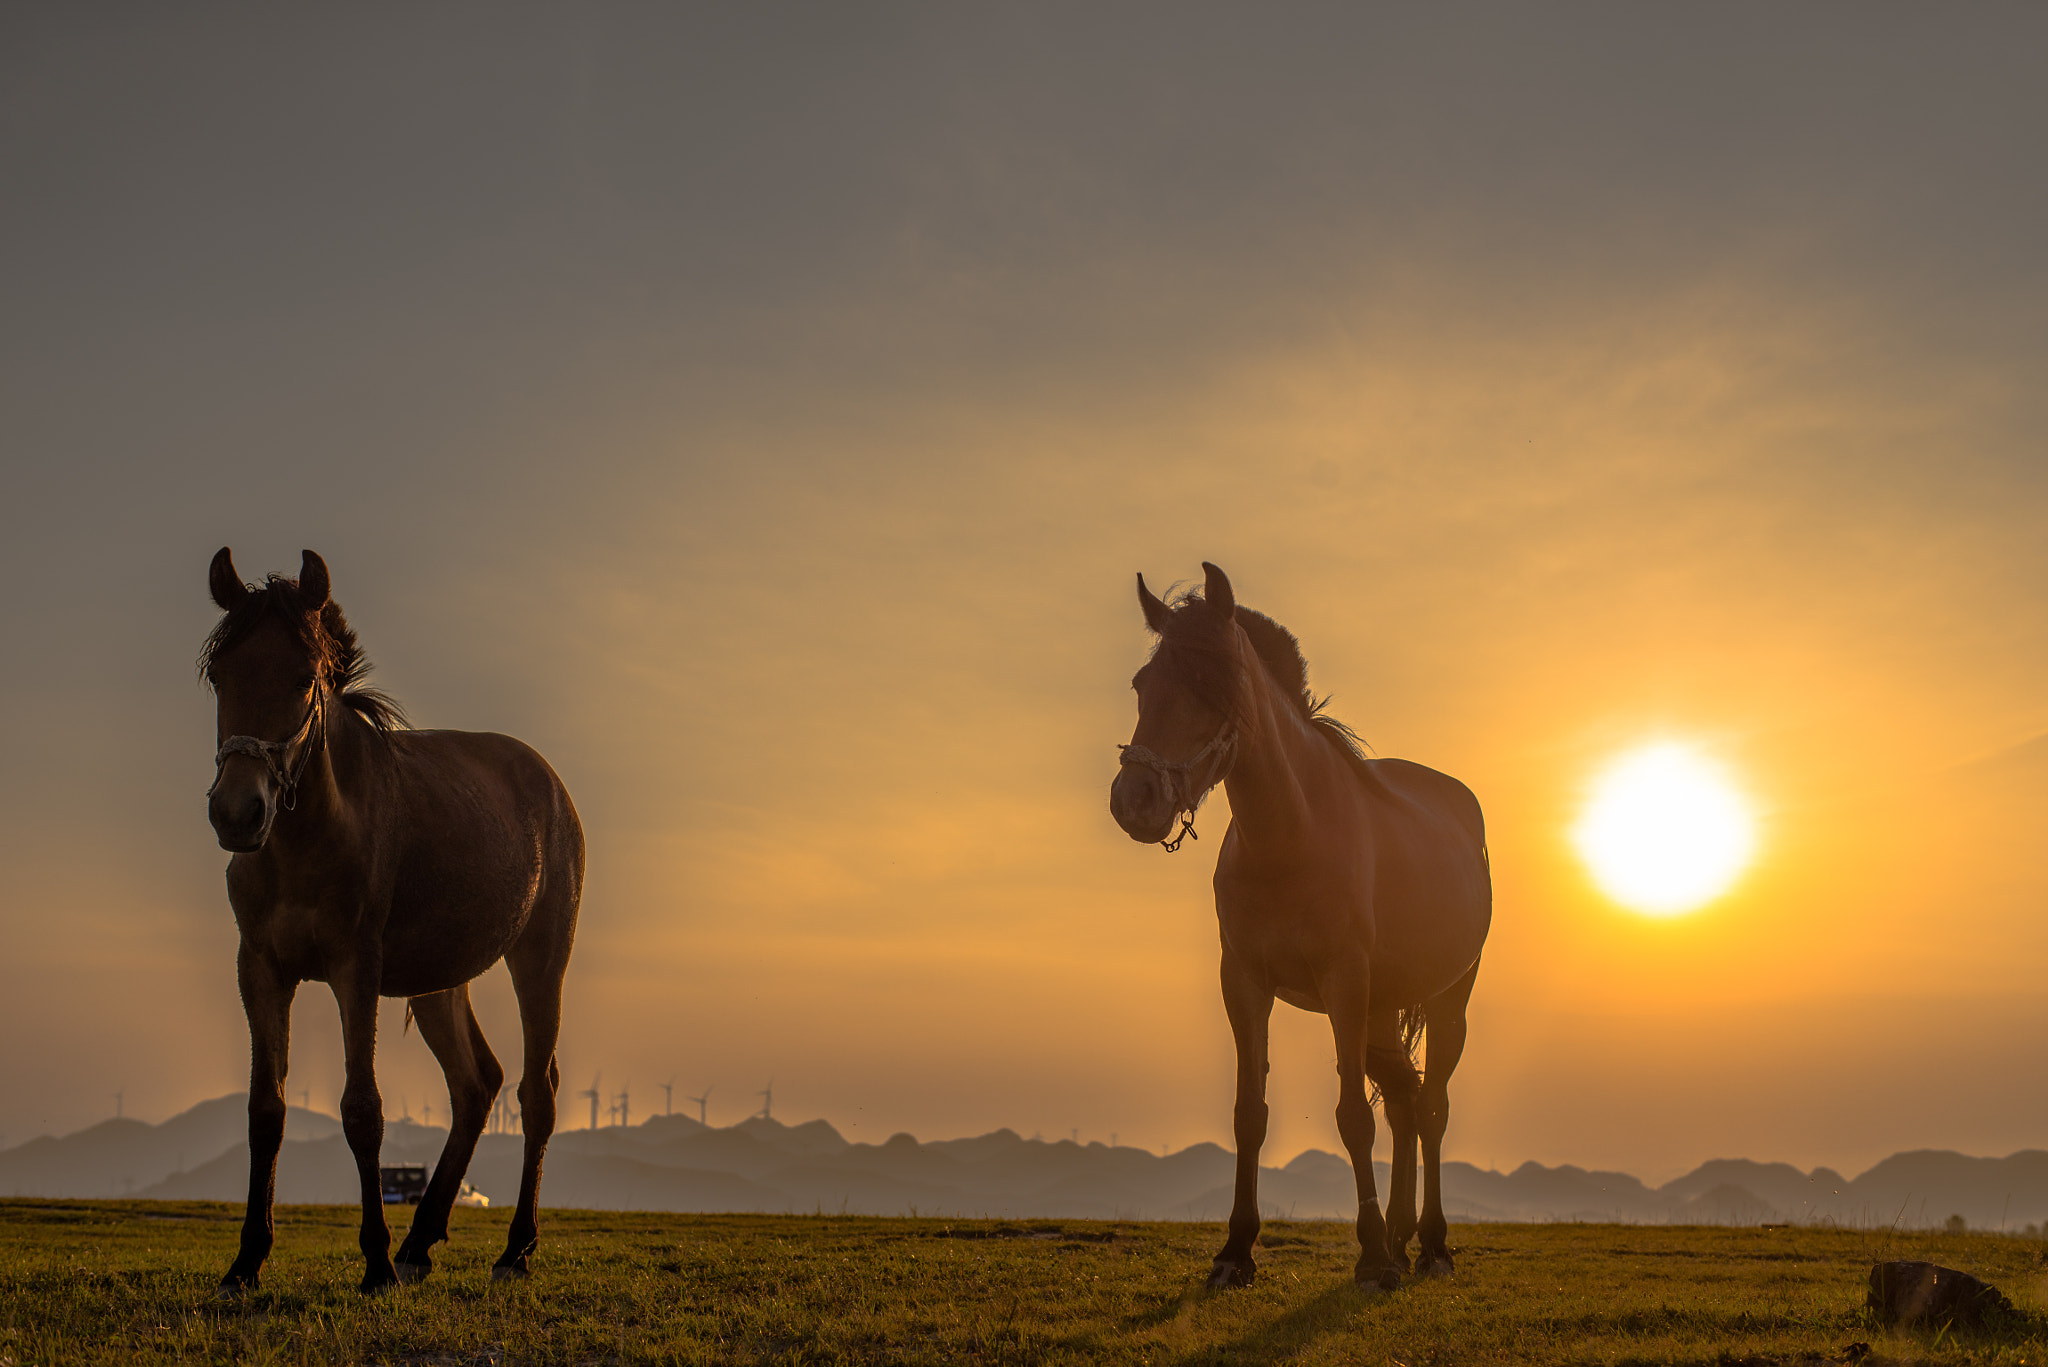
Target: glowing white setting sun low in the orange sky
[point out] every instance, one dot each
(1666, 831)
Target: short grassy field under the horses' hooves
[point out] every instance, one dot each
(130, 1282)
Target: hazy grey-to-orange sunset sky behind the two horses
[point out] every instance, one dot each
(763, 411)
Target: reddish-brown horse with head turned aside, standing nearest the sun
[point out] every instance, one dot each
(1349, 886)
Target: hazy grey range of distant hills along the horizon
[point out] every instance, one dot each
(671, 1163)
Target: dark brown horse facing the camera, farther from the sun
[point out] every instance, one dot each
(382, 862)
